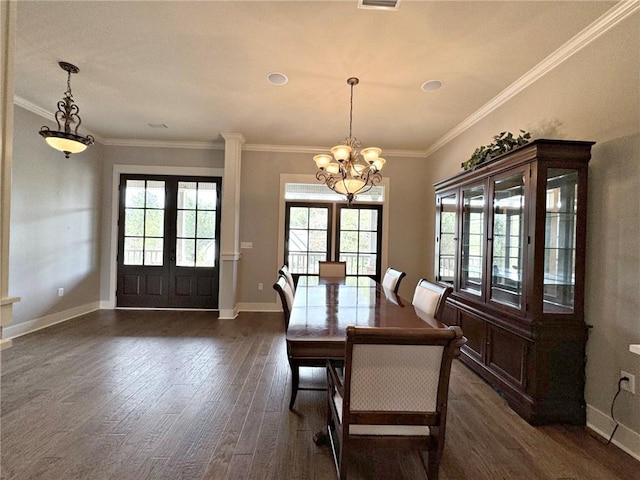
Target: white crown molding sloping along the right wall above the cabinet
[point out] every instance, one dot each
(610, 19)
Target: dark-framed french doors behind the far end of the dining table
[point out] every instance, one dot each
(326, 231)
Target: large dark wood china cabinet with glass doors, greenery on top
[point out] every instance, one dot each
(510, 241)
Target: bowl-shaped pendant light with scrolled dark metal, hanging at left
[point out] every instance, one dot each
(63, 139)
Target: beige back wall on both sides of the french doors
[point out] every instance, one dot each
(260, 201)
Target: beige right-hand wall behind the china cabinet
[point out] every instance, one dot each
(594, 95)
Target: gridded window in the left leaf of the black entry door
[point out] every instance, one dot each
(144, 222)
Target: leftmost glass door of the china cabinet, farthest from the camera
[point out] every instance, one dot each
(447, 240)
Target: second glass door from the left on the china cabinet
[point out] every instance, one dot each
(473, 202)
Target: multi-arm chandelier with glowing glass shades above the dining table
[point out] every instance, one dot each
(348, 171)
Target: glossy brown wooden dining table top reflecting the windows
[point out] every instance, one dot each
(324, 307)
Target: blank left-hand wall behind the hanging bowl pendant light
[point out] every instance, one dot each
(55, 225)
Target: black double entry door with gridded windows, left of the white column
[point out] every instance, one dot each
(168, 242)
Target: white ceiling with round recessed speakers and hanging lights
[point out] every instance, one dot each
(201, 67)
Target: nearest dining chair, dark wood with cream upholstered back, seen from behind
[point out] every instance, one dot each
(393, 393)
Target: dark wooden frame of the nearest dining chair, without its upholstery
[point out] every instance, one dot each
(342, 441)
